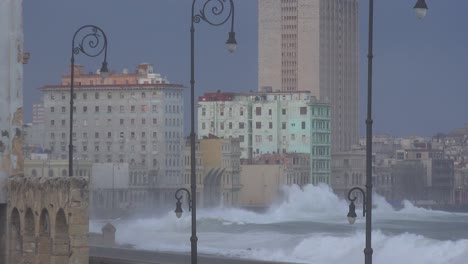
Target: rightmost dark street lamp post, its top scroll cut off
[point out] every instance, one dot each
(421, 10)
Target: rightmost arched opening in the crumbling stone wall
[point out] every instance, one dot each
(61, 244)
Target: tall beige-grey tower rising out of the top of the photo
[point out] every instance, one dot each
(312, 45)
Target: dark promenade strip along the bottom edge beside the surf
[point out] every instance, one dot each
(104, 255)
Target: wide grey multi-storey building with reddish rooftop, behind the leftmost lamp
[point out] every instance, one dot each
(134, 118)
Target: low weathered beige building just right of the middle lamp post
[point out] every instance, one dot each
(218, 171)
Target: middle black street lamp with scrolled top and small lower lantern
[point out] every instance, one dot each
(215, 13)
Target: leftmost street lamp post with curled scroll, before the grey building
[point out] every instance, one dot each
(88, 43)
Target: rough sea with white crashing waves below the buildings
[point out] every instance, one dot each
(309, 226)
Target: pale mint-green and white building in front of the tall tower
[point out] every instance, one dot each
(271, 123)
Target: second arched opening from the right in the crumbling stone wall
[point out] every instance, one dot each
(44, 245)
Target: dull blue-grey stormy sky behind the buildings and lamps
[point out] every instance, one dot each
(420, 66)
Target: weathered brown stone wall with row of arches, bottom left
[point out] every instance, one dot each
(48, 220)
